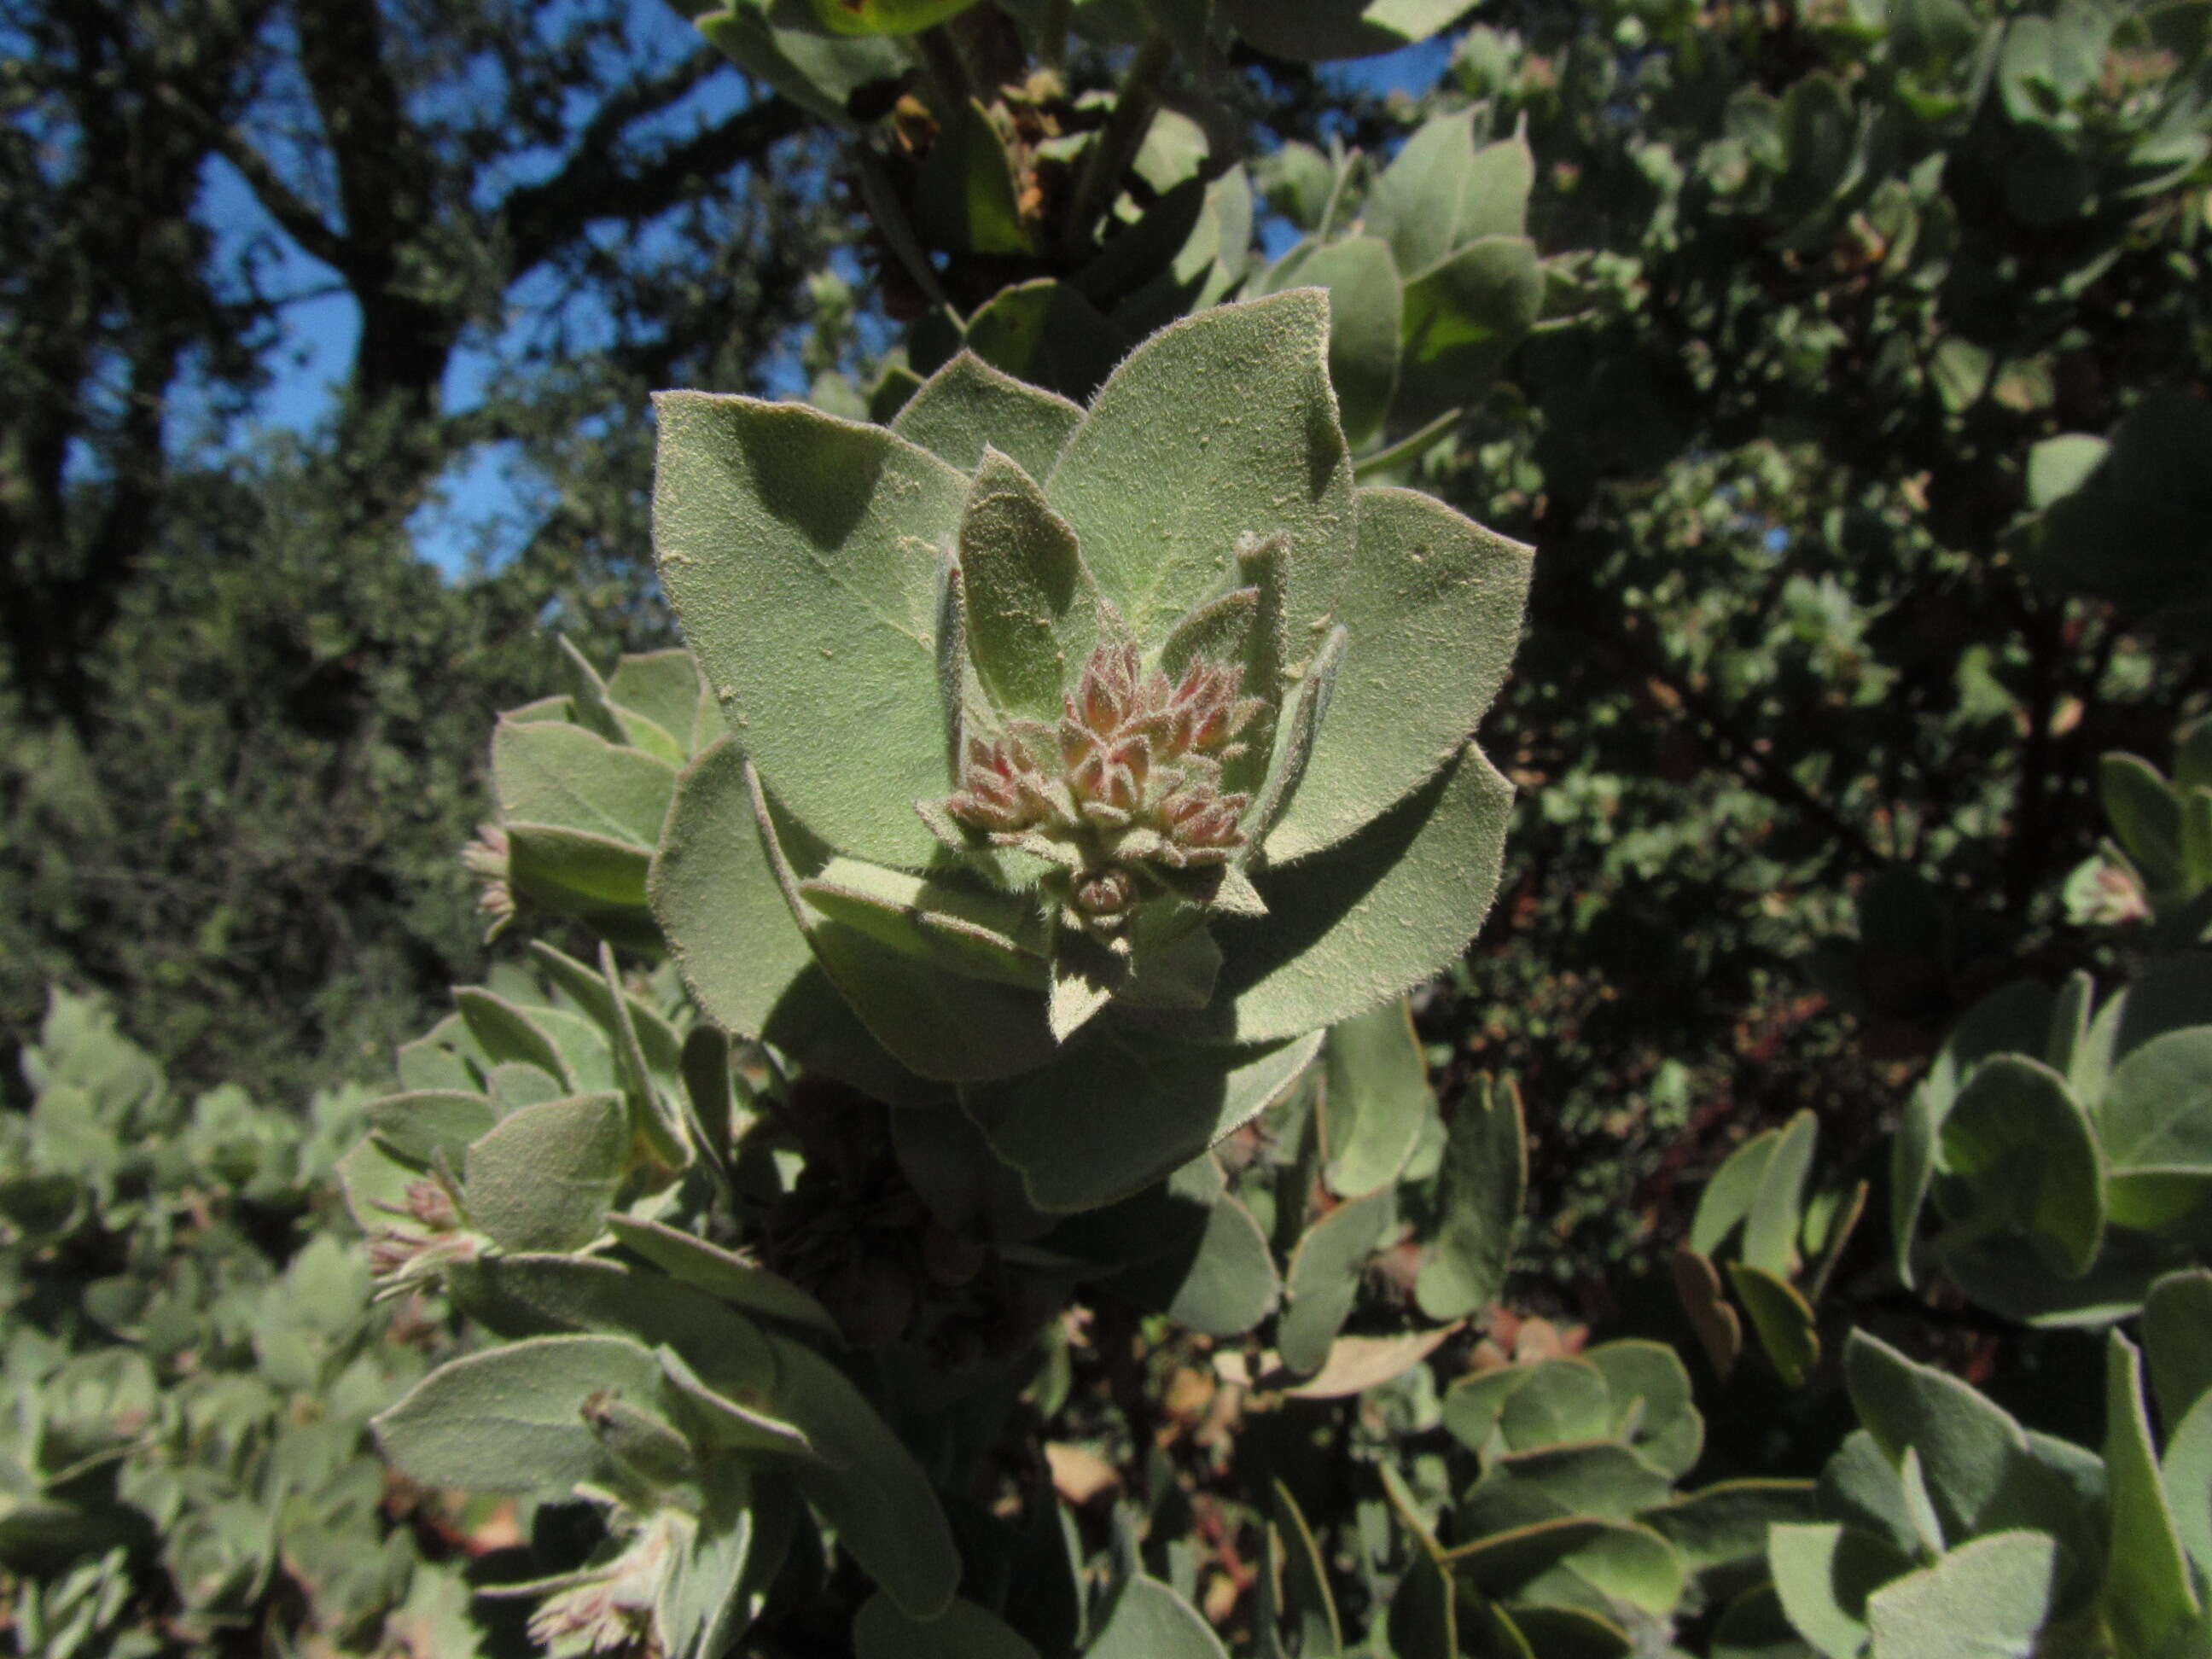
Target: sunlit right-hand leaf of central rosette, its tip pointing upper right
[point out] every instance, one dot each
(1432, 618)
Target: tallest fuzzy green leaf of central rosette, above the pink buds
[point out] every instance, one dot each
(1215, 428)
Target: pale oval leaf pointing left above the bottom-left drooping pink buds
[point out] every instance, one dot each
(512, 1419)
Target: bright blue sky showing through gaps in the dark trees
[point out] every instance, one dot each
(486, 505)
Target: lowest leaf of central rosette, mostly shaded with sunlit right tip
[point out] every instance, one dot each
(1120, 1107)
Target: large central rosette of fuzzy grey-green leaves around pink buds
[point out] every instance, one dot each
(1078, 758)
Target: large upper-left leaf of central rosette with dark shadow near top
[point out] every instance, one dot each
(802, 554)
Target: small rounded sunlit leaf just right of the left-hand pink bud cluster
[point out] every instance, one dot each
(545, 1176)
